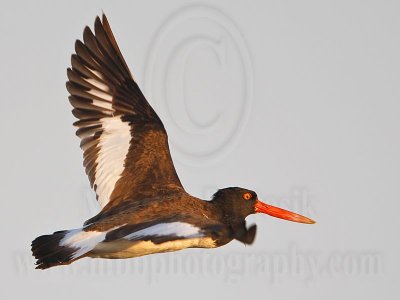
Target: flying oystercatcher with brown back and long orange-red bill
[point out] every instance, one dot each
(145, 209)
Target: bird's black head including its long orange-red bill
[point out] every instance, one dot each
(237, 203)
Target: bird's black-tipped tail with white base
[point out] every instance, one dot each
(61, 247)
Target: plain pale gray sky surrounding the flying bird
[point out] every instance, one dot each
(298, 100)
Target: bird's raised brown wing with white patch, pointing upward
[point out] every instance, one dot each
(124, 142)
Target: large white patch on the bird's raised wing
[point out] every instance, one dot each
(110, 160)
